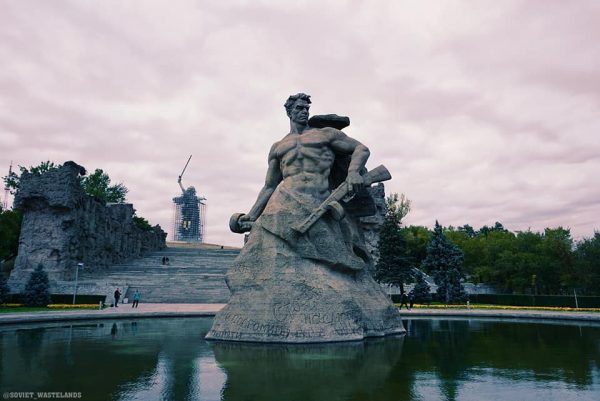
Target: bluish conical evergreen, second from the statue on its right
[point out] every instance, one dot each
(444, 261)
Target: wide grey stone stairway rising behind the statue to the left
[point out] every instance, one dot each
(194, 275)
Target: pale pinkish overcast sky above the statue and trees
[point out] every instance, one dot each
(483, 111)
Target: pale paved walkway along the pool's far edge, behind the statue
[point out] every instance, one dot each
(182, 310)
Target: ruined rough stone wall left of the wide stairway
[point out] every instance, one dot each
(63, 226)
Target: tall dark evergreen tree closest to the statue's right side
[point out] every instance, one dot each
(394, 267)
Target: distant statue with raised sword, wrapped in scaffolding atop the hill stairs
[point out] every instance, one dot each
(189, 215)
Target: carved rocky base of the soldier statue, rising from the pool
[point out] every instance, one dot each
(278, 296)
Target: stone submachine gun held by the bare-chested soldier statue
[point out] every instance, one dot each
(332, 203)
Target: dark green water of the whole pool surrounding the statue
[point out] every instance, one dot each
(439, 359)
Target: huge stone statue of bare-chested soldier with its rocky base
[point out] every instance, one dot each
(303, 275)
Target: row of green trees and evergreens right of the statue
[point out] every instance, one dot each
(521, 262)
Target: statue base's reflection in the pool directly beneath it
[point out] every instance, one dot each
(343, 371)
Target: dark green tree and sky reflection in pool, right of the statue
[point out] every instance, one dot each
(476, 359)
